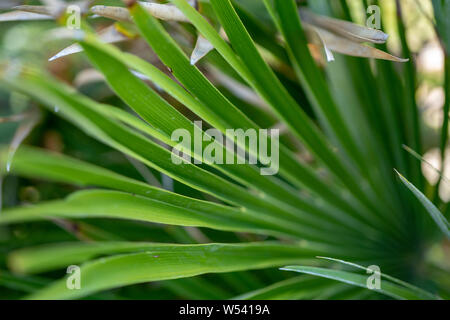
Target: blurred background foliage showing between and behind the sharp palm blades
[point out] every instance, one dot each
(381, 87)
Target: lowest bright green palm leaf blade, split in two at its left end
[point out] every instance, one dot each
(150, 262)
